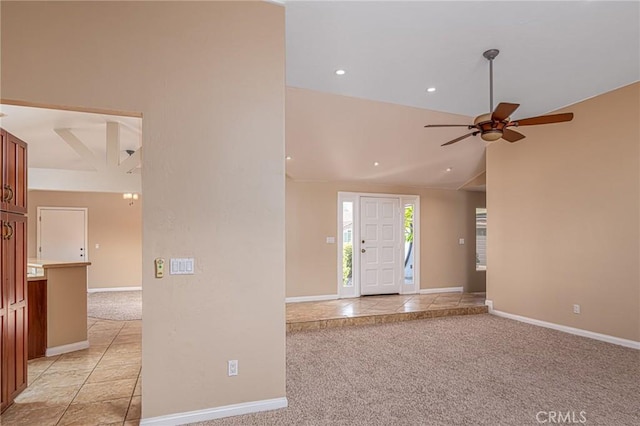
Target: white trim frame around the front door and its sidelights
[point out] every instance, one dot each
(347, 292)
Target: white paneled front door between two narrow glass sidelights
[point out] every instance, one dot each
(380, 251)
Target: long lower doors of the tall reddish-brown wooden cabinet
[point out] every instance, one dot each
(14, 243)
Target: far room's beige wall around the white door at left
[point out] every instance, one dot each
(112, 223)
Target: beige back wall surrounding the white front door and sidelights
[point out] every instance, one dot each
(445, 216)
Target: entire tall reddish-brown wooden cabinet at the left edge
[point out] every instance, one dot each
(13, 270)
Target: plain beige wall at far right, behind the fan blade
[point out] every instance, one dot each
(563, 218)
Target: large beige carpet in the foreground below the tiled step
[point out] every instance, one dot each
(468, 370)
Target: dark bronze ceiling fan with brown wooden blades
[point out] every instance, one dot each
(496, 125)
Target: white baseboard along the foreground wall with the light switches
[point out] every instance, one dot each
(217, 412)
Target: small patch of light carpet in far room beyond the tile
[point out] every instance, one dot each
(115, 305)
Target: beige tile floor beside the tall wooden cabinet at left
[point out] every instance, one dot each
(99, 385)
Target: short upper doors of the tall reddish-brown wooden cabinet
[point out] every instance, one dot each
(14, 176)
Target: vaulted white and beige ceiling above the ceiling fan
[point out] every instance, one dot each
(552, 54)
